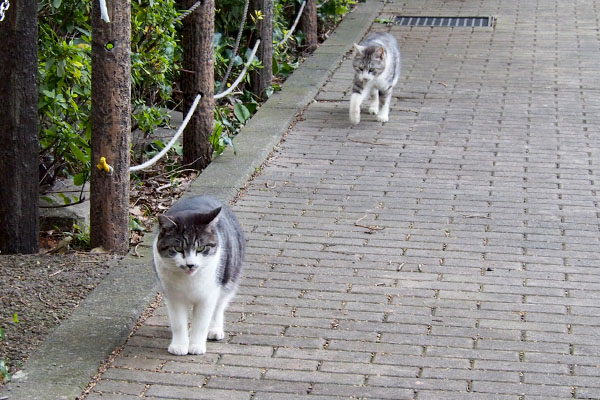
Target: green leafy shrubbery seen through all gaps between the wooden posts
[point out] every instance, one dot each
(65, 72)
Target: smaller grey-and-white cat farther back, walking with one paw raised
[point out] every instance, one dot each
(376, 72)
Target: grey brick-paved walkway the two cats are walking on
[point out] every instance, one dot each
(451, 253)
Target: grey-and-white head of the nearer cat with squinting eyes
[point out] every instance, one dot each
(188, 241)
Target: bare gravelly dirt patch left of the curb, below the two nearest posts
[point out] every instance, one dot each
(38, 291)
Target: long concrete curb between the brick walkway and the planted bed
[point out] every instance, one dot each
(65, 362)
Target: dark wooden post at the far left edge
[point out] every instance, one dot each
(19, 174)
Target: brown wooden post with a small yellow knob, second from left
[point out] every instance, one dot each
(111, 126)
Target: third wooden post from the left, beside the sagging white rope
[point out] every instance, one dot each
(198, 77)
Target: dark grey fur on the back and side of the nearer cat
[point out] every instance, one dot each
(231, 235)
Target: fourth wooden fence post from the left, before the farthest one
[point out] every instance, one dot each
(261, 79)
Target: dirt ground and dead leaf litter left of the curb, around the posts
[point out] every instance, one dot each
(38, 291)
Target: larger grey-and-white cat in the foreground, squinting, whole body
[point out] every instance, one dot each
(198, 256)
